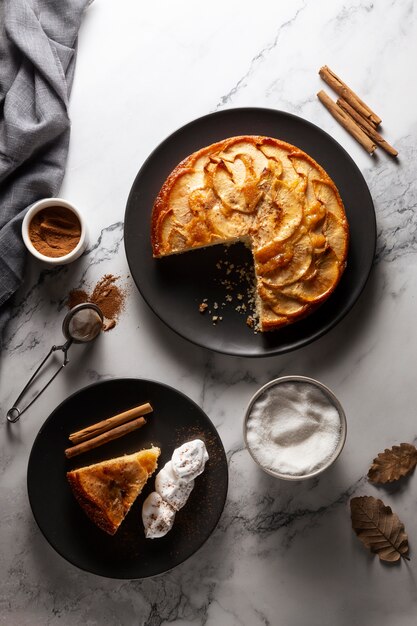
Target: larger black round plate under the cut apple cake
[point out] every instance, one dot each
(174, 286)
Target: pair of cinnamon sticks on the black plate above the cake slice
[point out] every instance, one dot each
(107, 430)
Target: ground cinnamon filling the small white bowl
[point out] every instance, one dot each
(55, 231)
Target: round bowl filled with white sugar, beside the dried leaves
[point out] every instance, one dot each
(294, 427)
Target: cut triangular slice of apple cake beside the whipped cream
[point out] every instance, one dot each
(107, 490)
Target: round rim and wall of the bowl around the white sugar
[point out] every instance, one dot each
(333, 400)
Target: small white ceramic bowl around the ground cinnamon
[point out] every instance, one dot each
(61, 260)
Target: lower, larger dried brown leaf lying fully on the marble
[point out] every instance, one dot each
(379, 528)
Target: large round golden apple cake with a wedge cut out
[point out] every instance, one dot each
(277, 200)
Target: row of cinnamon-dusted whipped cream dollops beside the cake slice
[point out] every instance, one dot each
(173, 485)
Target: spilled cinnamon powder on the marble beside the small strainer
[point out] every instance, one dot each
(106, 294)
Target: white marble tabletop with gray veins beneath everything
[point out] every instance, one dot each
(283, 553)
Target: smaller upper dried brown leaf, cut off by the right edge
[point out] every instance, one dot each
(393, 464)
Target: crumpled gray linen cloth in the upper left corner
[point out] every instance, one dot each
(37, 60)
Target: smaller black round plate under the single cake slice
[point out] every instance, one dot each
(127, 554)
